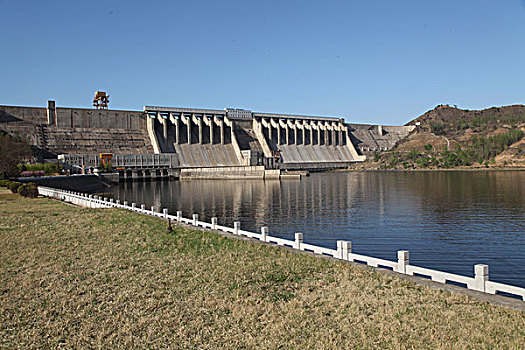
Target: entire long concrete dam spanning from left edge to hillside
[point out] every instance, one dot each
(231, 141)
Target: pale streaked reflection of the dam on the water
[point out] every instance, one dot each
(254, 203)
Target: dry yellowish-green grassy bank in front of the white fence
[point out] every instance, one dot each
(87, 278)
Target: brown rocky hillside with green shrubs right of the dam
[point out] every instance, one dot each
(448, 137)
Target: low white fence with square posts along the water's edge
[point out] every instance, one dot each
(479, 282)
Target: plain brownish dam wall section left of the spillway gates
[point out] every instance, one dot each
(54, 131)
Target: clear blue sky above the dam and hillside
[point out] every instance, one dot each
(383, 62)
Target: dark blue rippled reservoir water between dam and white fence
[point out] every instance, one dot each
(448, 220)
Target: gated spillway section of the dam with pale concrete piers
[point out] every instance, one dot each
(205, 138)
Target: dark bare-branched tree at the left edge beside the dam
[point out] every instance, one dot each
(13, 150)
